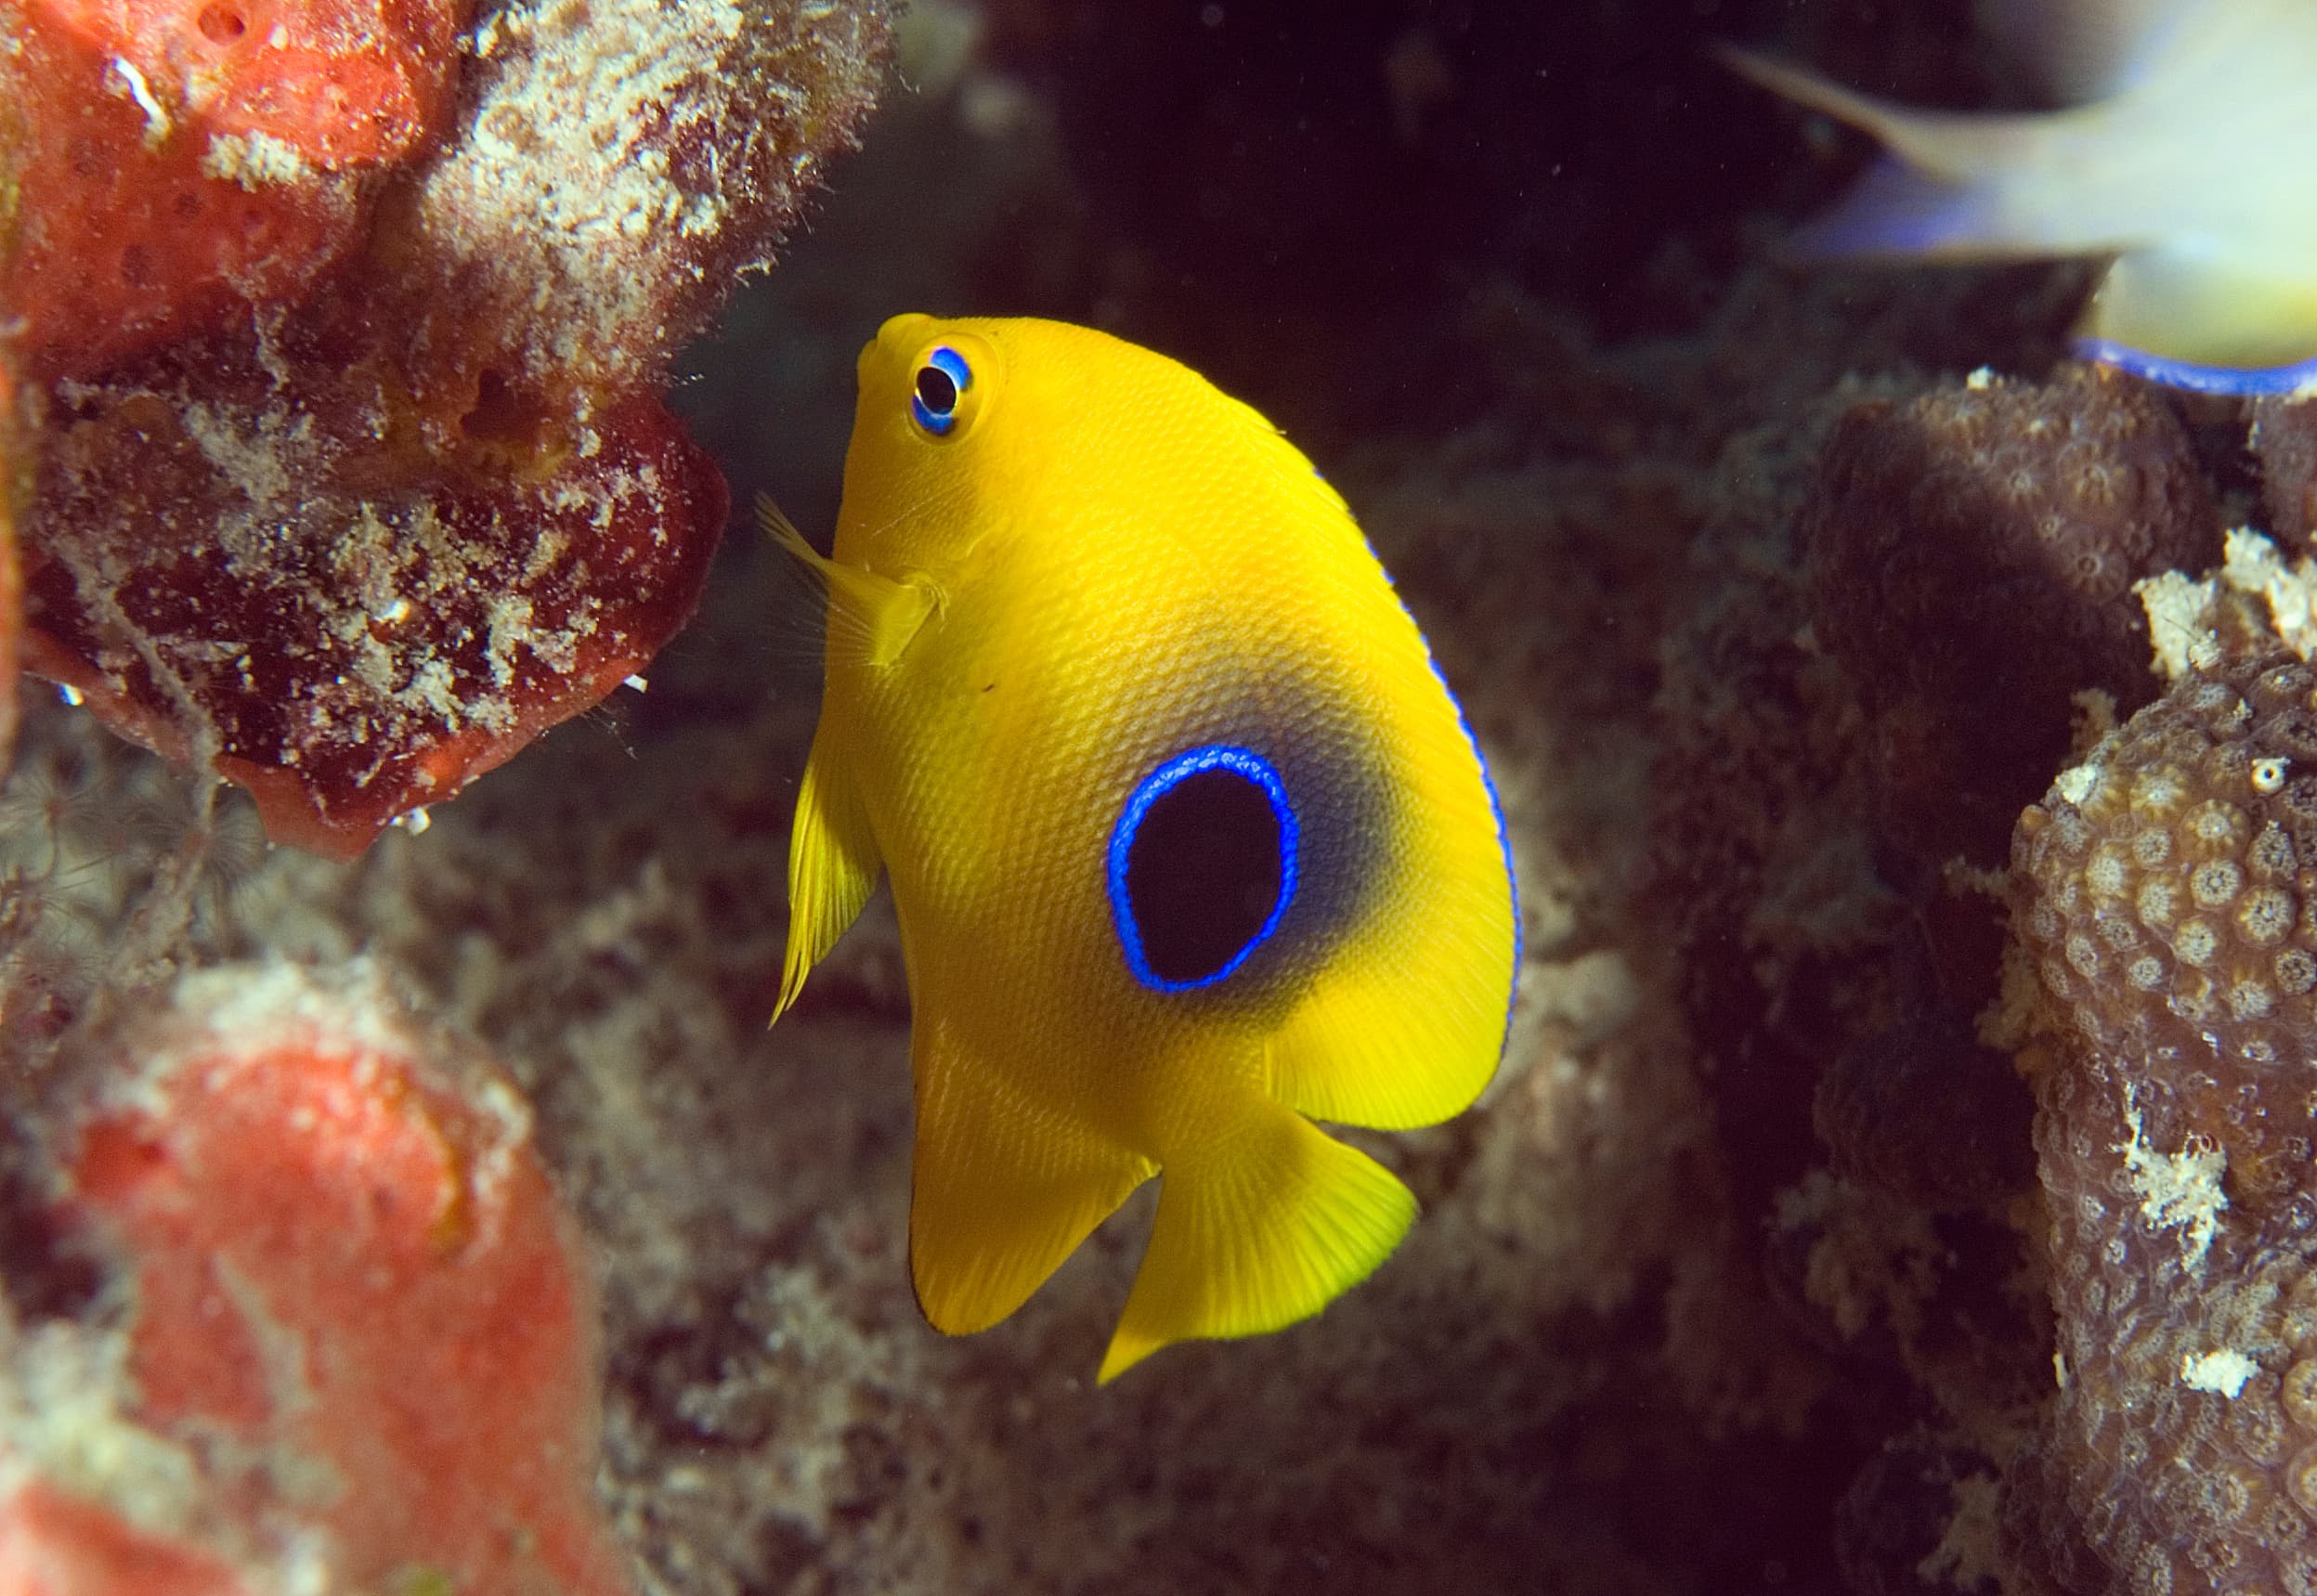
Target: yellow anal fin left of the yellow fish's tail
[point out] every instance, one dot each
(1002, 1189)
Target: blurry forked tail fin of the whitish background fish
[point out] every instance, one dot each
(1940, 193)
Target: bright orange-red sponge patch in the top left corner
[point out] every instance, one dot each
(168, 163)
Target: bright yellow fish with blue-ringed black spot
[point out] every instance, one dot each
(1185, 835)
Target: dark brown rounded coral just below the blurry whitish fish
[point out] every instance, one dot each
(1973, 562)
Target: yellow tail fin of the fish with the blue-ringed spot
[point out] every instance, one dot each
(1259, 1229)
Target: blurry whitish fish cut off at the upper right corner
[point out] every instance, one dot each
(2188, 159)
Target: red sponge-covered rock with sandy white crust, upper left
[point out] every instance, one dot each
(377, 483)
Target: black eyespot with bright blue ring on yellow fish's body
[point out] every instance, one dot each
(1201, 867)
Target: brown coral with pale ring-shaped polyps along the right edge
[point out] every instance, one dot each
(2168, 895)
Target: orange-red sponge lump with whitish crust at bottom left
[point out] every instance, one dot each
(358, 1345)
